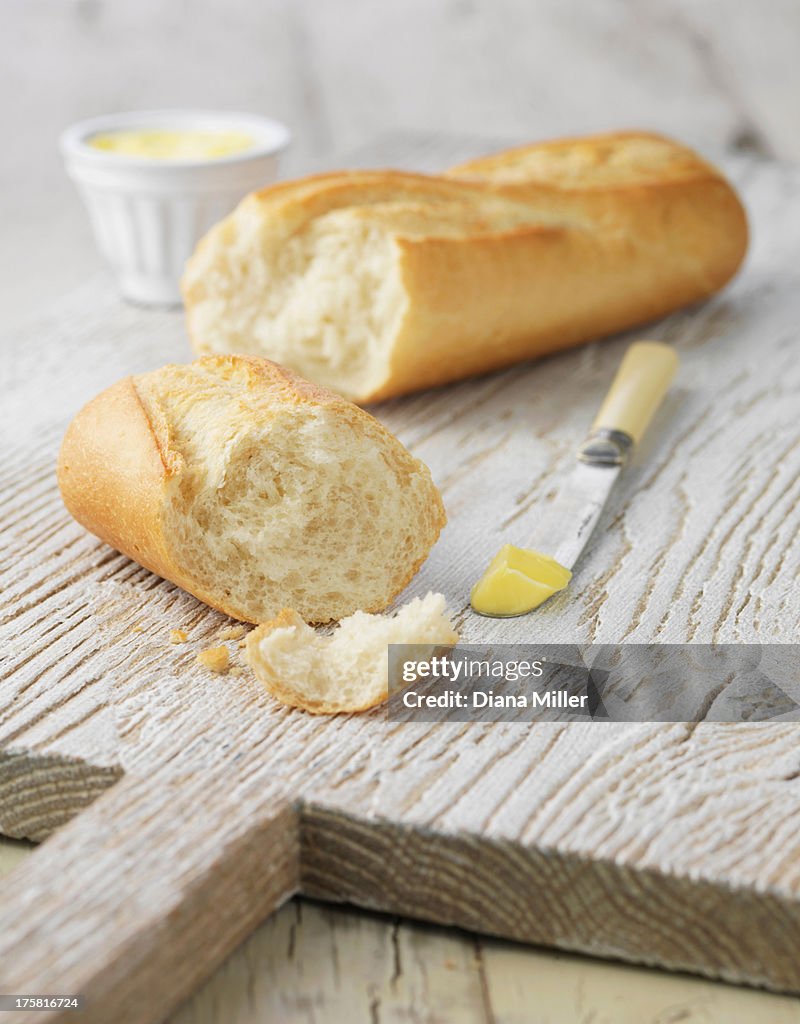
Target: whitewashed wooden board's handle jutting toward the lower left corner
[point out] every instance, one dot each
(139, 929)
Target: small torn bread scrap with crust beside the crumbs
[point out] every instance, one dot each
(349, 671)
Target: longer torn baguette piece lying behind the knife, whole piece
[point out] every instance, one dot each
(382, 283)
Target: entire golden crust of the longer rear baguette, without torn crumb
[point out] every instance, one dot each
(614, 231)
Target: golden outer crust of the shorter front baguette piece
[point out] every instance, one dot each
(116, 462)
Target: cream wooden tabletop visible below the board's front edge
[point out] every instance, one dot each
(325, 965)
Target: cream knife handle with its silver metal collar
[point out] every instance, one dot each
(644, 378)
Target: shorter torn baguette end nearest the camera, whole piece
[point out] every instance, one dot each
(251, 489)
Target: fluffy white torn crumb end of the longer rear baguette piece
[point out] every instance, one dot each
(324, 302)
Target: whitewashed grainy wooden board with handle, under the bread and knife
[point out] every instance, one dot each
(669, 845)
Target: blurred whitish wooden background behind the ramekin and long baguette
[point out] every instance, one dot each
(720, 74)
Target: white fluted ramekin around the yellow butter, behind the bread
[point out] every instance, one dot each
(149, 215)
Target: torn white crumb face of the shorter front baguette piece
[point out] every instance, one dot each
(282, 503)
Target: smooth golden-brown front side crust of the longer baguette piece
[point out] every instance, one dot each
(571, 309)
